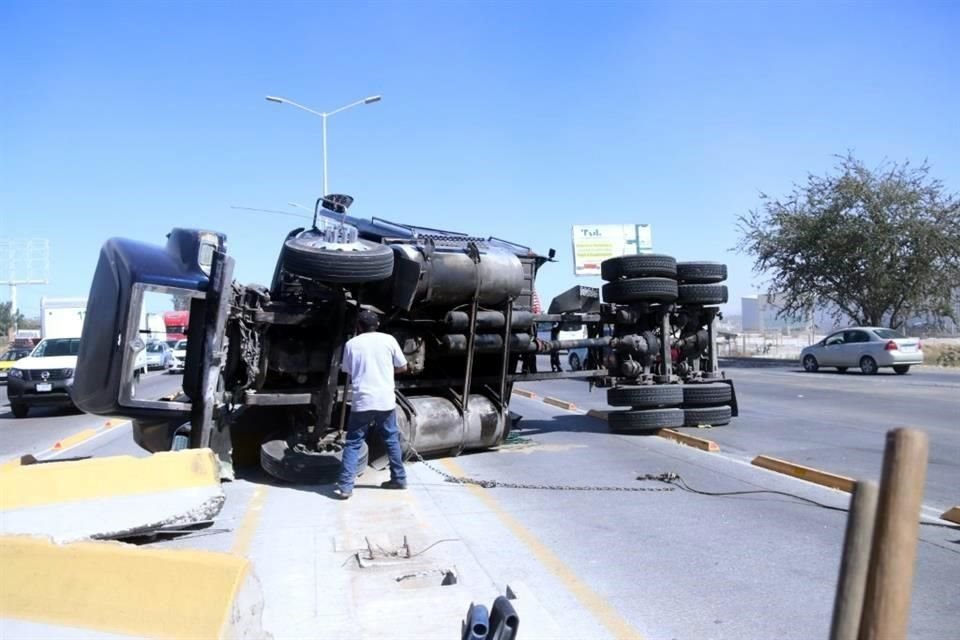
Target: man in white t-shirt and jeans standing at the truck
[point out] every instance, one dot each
(371, 359)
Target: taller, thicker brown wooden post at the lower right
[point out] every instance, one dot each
(886, 605)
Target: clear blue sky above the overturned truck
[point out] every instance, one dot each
(510, 119)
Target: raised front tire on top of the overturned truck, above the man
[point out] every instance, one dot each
(360, 262)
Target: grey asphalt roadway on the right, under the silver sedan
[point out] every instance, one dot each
(827, 420)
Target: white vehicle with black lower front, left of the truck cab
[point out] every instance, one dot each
(45, 377)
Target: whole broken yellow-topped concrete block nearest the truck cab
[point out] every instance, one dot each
(109, 497)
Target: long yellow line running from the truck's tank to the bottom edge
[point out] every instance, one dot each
(592, 601)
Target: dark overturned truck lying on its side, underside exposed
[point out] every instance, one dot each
(262, 381)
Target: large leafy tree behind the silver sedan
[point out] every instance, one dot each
(878, 246)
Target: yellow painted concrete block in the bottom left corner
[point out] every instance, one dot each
(122, 589)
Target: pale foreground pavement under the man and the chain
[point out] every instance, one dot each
(590, 564)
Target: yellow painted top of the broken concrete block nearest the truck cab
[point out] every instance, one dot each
(60, 482)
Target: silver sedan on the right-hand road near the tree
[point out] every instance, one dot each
(868, 348)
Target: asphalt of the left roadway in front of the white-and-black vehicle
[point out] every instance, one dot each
(44, 426)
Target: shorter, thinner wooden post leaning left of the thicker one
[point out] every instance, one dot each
(855, 564)
